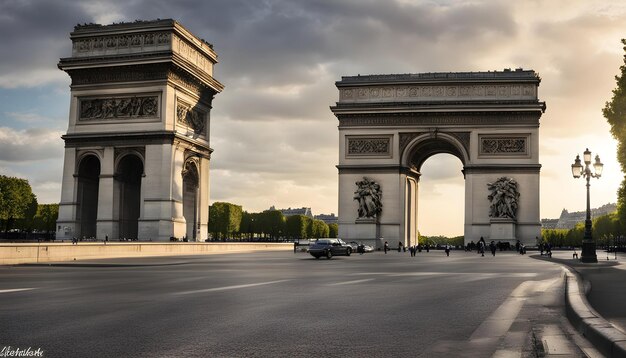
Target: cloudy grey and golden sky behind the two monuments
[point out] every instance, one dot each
(275, 139)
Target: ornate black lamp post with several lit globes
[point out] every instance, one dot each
(589, 246)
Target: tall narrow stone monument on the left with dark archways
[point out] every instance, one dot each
(137, 147)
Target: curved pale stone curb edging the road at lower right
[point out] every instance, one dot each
(601, 333)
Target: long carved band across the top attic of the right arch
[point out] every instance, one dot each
(410, 93)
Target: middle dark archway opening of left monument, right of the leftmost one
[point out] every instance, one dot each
(128, 182)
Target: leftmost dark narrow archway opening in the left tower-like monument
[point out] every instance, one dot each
(87, 196)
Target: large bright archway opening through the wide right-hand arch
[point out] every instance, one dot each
(441, 197)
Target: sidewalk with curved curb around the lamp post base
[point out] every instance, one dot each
(596, 299)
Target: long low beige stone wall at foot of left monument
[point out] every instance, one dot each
(11, 254)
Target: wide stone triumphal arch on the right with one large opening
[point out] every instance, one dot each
(390, 124)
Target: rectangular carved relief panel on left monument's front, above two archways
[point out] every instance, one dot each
(126, 107)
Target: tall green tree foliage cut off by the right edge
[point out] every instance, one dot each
(615, 113)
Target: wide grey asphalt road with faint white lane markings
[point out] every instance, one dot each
(277, 304)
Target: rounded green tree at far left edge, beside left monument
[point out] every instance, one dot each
(17, 201)
